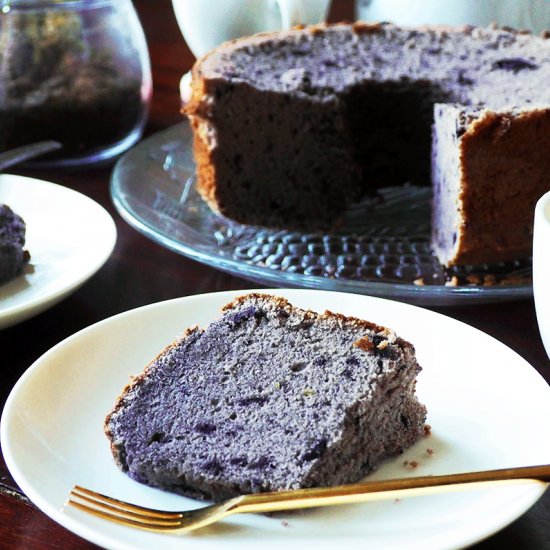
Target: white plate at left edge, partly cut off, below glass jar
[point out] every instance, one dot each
(69, 237)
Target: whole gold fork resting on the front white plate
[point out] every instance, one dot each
(158, 520)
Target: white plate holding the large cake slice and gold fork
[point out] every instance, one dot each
(487, 407)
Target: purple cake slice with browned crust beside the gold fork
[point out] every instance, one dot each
(268, 397)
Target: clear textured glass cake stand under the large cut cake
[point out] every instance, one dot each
(381, 249)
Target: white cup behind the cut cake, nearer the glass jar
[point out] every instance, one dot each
(207, 23)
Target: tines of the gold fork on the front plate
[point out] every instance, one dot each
(122, 512)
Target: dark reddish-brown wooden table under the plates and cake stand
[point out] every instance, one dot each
(141, 272)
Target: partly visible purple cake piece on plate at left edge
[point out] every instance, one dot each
(13, 256)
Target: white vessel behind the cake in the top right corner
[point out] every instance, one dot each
(533, 15)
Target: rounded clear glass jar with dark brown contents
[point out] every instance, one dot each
(75, 71)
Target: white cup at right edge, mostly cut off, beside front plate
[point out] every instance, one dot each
(541, 267)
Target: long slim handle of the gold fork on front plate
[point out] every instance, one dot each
(392, 488)
